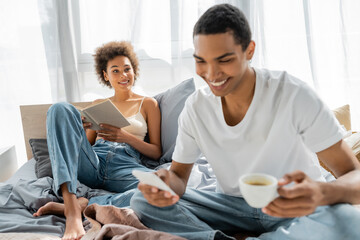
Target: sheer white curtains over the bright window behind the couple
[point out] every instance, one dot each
(47, 47)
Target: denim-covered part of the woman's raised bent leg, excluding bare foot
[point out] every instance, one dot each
(72, 157)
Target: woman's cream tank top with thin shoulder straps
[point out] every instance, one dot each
(138, 125)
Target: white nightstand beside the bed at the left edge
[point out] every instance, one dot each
(8, 162)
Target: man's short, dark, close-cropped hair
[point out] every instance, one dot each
(224, 18)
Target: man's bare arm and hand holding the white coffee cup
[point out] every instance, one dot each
(303, 197)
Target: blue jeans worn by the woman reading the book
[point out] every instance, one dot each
(105, 165)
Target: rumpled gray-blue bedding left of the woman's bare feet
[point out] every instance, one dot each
(20, 200)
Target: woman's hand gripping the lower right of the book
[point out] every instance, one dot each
(114, 134)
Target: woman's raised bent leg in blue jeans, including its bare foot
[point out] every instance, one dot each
(71, 157)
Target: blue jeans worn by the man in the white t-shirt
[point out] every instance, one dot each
(209, 215)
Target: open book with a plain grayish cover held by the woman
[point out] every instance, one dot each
(103, 112)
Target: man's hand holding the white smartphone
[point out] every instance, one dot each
(156, 196)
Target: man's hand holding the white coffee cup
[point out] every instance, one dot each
(298, 200)
